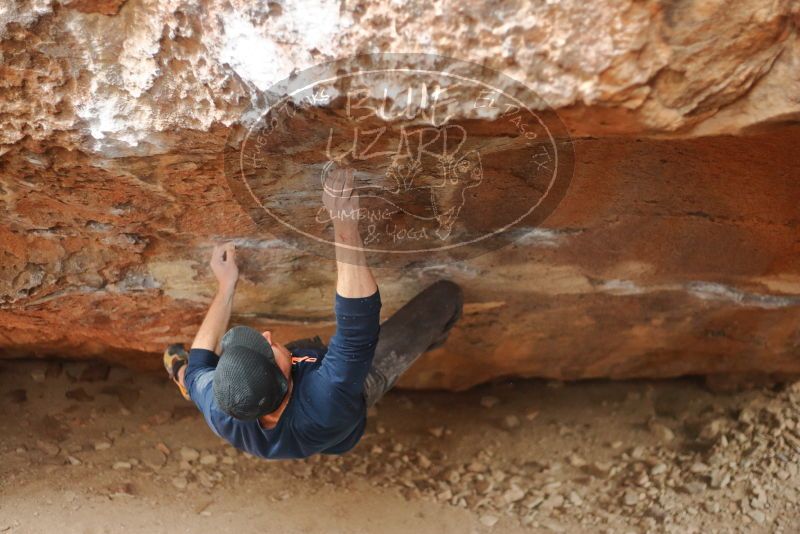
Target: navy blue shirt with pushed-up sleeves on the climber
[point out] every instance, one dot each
(326, 412)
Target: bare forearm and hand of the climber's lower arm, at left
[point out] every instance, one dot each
(223, 264)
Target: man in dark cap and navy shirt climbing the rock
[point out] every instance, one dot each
(295, 400)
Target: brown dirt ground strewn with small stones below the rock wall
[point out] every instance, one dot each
(89, 449)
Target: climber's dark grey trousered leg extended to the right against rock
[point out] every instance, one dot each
(422, 324)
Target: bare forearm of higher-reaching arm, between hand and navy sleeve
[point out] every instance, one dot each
(354, 275)
